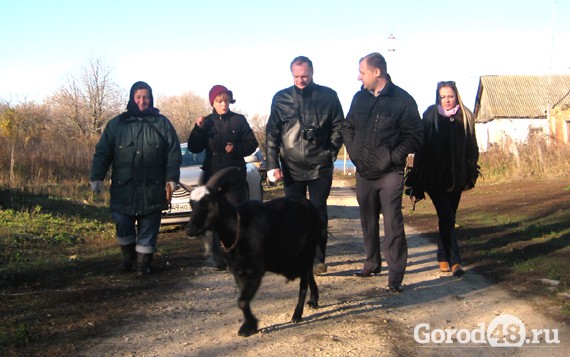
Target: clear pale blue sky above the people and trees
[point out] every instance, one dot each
(186, 45)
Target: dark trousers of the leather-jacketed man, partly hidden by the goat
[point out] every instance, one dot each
(319, 190)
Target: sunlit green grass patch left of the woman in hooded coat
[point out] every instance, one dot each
(39, 232)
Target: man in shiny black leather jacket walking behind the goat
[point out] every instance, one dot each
(303, 136)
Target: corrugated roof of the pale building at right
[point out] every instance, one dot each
(520, 96)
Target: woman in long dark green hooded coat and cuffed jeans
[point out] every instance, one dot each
(143, 149)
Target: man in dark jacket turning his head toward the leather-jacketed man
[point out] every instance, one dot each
(382, 127)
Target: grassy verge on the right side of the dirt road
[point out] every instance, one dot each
(517, 233)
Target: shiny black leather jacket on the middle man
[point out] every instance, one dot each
(304, 132)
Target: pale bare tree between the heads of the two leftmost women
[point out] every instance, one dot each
(182, 110)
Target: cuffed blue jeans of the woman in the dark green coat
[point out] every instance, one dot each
(142, 230)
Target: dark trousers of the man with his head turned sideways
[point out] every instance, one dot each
(383, 195)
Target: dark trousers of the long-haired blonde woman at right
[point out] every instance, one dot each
(446, 204)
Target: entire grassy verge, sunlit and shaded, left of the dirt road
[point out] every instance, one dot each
(59, 276)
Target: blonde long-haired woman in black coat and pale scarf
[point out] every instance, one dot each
(445, 166)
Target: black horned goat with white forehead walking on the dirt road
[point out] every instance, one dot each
(279, 236)
